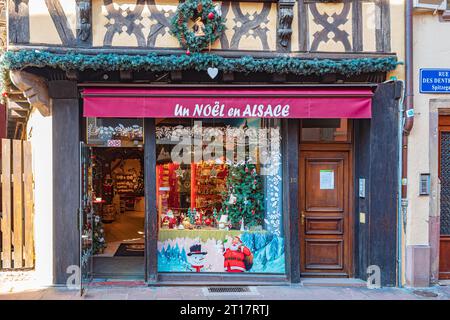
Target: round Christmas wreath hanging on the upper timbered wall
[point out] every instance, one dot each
(207, 28)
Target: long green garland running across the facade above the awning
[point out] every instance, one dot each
(16, 60)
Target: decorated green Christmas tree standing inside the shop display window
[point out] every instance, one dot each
(244, 197)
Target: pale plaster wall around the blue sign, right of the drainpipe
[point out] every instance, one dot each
(428, 33)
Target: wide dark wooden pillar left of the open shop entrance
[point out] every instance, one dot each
(66, 176)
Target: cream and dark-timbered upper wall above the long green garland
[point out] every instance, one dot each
(350, 26)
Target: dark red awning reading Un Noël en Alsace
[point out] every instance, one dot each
(227, 102)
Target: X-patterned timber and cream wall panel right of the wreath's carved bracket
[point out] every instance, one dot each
(343, 25)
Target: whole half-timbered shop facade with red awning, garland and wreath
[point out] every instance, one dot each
(330, 195)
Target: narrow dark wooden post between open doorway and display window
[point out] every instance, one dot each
(151, 215)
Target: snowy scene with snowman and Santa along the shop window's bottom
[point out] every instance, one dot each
(192, 254)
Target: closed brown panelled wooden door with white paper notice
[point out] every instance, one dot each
(324, 213)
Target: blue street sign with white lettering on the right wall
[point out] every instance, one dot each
(434, 80)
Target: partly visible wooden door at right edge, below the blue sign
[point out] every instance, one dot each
(444, 176)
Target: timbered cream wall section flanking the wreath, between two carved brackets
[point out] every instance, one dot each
(146, 21)
